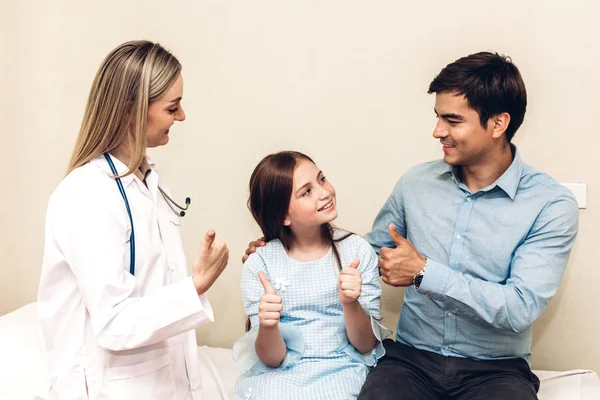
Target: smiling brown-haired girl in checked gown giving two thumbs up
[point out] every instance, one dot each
(312, 293)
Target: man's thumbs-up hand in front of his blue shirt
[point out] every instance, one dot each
(400, 265)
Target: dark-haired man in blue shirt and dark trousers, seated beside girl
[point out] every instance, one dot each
(480, 239)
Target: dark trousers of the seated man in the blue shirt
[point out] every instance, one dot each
(412, 374)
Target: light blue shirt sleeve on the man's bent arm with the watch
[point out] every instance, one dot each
(536, 270)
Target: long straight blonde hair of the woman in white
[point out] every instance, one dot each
(131, 77)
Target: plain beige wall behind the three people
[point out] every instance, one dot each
(344, 81)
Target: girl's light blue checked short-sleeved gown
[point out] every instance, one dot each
(320, 362)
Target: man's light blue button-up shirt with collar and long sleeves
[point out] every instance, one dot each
(495, 257)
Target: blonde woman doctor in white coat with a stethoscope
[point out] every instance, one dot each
(116, 307)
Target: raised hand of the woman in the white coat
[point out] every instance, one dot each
(211, 261)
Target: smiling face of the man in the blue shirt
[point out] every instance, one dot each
(464, 141)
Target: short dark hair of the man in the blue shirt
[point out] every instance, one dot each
(490, 82)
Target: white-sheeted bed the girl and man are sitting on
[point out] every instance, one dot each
(23, 373)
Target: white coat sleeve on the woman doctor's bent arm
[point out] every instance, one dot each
(92, 233)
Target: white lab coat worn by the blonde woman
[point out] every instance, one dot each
(122, 336)
